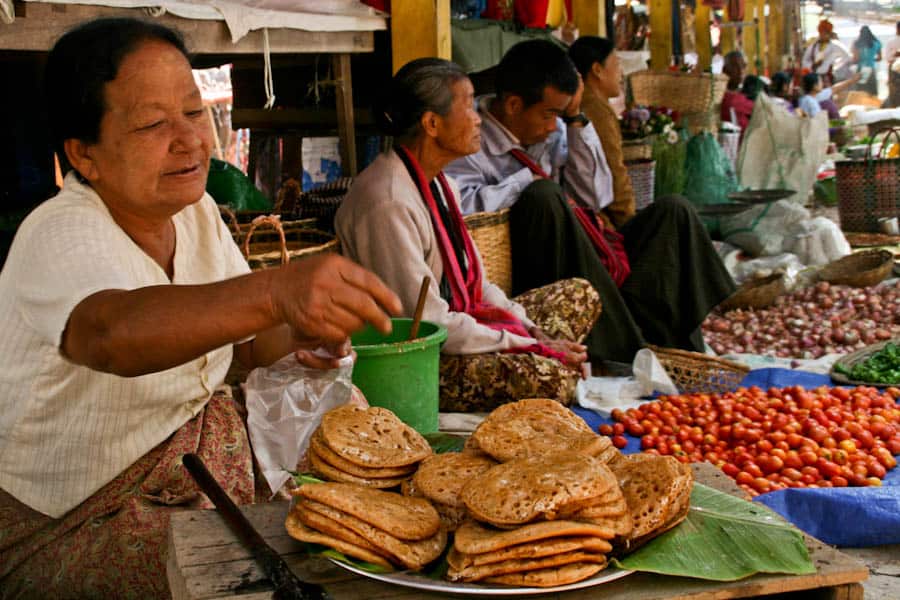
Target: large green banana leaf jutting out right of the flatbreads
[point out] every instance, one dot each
(723, 538)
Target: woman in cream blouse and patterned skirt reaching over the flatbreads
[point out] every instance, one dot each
(124, 299)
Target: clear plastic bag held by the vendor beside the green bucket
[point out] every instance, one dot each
(285, 404)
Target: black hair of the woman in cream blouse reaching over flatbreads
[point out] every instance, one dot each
(80, 65)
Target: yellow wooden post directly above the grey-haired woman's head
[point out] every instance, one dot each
(419, 28)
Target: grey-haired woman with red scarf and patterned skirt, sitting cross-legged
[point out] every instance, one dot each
(401, 219)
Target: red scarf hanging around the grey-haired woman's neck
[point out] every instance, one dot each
(465, 291)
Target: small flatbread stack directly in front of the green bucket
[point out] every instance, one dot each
(367, 446)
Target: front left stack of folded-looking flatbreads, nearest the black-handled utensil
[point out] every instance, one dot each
(382, 528)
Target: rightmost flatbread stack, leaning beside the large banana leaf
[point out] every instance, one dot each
(657, 490)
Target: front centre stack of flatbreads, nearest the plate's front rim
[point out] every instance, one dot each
(541, 520)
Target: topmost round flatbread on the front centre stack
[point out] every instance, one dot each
(536, 487)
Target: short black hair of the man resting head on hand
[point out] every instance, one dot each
(529, 67)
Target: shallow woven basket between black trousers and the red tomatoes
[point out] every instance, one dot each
(692, 372)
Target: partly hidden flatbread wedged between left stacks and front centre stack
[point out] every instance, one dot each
(441, 477)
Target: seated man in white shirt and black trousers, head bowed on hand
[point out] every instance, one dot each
(538, 151)
